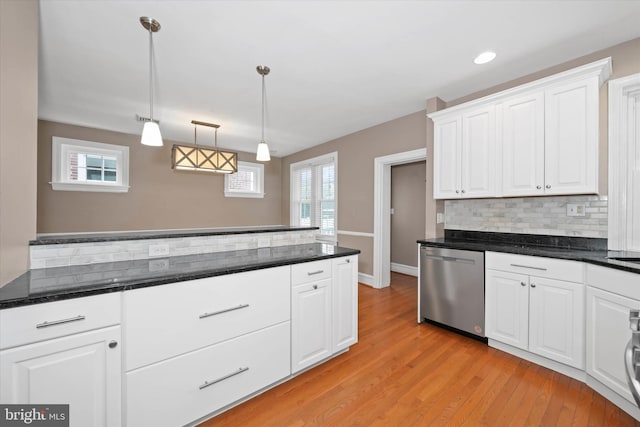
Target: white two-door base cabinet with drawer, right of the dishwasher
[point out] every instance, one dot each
(542, 315)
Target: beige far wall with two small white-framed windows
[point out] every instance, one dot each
(159, 197)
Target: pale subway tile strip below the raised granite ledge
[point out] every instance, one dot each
(60, 255)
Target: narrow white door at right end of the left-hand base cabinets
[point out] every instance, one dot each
(345, 302)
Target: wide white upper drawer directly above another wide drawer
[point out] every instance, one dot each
(164, 321)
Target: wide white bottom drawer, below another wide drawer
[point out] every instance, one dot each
(183, 389)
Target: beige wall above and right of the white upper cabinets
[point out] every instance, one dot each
(625, 59)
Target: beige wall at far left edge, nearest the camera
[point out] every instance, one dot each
(18, 116)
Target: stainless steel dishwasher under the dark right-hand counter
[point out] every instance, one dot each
(451, 290)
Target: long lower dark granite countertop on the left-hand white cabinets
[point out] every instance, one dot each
(58, 283)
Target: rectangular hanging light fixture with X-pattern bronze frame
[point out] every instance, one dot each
(203, 159)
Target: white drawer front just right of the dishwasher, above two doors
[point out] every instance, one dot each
(571, 271)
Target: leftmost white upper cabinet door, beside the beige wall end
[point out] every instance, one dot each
(446, 157)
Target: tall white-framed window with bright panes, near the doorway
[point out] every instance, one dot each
(314, 195)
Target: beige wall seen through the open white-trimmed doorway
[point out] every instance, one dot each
(408, 202)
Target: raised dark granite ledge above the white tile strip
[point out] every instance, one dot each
(62, 238)
